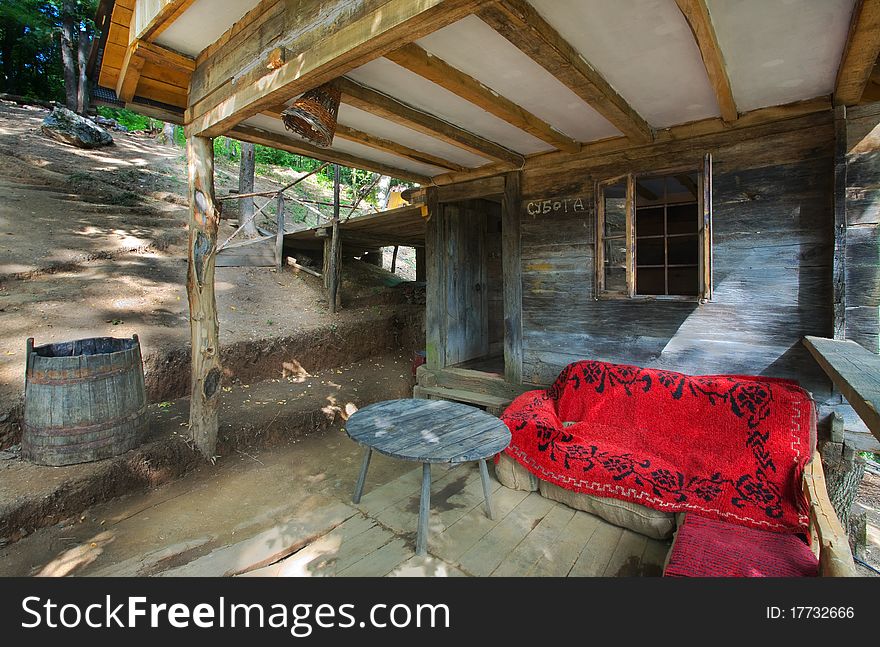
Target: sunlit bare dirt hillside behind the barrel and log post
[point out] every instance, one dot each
(93, 243)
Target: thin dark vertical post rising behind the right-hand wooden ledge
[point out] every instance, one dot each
(838, 265)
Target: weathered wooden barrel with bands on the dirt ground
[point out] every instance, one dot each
(84, 400)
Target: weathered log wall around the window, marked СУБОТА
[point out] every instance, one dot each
(773, 243)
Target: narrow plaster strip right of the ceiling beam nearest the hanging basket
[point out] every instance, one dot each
(416, 91)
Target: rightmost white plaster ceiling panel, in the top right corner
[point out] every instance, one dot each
(779, 51)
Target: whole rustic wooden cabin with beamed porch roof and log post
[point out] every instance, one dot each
(689, 184)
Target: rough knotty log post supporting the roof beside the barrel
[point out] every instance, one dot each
(204, 325)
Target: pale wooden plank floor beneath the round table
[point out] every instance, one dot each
(530, 536)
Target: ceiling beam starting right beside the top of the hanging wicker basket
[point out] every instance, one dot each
(386, 107)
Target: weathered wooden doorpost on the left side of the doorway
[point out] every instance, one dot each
(435, 292)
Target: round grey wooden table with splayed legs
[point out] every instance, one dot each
(427, 431)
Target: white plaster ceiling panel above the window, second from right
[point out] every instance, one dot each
(644, 49)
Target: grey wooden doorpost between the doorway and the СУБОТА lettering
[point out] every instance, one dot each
(512, 277)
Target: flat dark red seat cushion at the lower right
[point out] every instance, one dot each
(710, 548)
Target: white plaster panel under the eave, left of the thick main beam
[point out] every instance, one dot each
(202, 24)
